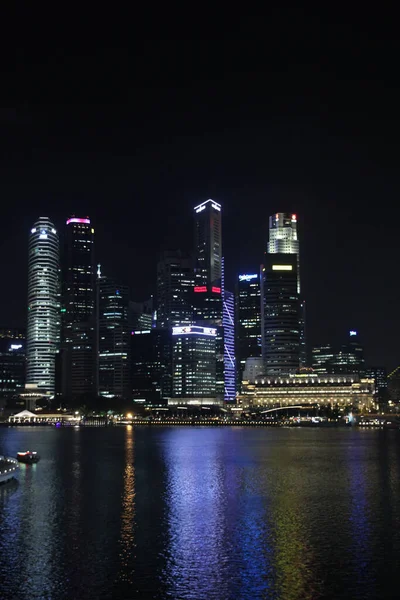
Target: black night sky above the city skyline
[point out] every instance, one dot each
(291, 112)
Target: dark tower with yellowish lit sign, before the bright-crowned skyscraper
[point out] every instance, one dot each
(281, 314)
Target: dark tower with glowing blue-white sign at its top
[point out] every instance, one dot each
(248, 311)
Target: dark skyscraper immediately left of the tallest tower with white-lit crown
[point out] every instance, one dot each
(175, 282)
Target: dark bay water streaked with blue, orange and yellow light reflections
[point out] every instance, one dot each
(201, 513)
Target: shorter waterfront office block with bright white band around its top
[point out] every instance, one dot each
(193, 365)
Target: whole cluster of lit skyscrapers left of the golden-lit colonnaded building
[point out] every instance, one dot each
(85, 336)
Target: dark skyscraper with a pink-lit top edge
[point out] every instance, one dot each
(78, 360)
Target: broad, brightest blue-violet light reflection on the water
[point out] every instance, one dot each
(196, 497)
